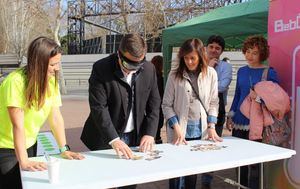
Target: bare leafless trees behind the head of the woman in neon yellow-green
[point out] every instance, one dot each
(21, 21)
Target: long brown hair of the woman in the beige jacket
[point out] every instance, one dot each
(187, 47)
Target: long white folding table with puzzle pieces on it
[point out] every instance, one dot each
(103, 169)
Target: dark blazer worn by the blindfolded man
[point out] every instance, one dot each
(109, 98)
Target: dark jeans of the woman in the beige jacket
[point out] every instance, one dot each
(189, 181)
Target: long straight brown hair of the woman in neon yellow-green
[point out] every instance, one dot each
(39, 52)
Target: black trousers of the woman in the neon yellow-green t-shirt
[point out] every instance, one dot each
(10, 176)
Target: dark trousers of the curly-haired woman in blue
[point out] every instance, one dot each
(249, 175)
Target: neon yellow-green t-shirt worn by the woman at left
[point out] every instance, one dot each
(12, 94)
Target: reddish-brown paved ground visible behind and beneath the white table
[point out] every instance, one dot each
(75, 110)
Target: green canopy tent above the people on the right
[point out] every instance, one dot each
(234, 22)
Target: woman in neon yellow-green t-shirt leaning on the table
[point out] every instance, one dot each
(29, 96)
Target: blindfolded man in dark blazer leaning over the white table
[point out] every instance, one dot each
(124, 101)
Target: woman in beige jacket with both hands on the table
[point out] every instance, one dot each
(190, 103)
